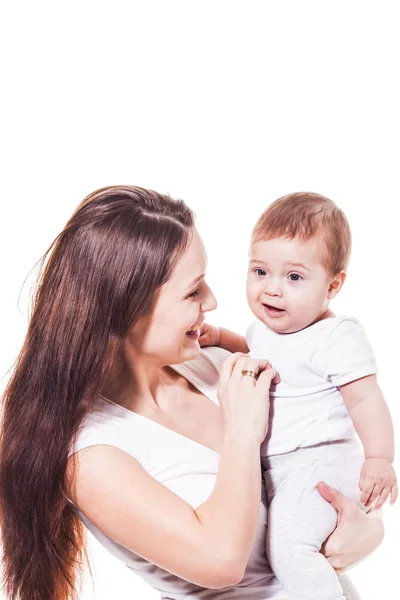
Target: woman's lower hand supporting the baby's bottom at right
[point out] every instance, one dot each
(357, 534)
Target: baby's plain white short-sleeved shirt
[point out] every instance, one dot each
(307, 407)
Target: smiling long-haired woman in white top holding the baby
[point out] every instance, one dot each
(111, 419)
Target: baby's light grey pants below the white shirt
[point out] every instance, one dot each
(300, 520)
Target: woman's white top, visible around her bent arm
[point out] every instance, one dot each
(187, 468)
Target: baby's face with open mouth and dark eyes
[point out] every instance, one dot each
(287, 285)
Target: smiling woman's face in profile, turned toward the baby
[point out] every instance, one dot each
(169, 333)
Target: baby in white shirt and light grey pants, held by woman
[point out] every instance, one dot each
(300, 248)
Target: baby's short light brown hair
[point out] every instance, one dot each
(306, 215)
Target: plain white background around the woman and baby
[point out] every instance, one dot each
(227, 105)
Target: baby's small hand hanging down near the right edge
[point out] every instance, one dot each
(378, 480)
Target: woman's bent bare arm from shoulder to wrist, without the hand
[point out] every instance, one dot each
(119, 497)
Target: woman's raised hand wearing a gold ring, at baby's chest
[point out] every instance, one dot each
(243, 399)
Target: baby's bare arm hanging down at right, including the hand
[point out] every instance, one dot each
(370, 415)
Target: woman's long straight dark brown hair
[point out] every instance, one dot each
(97, 279)
